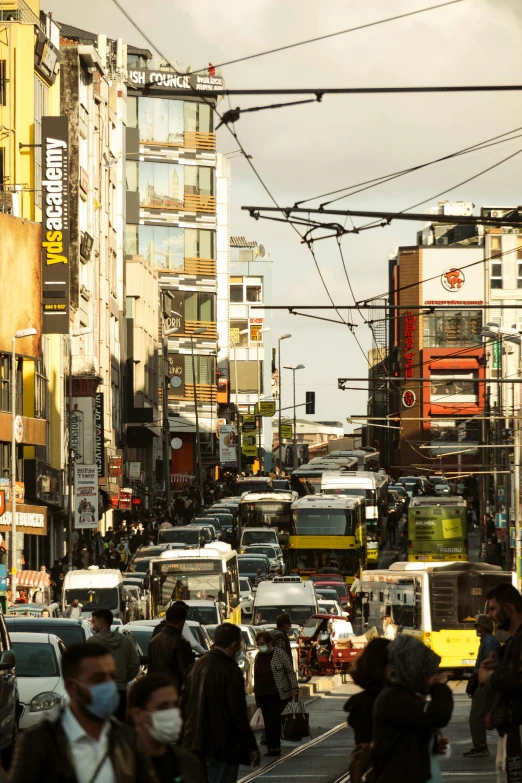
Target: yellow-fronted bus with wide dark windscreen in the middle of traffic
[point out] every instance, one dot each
(327, 529)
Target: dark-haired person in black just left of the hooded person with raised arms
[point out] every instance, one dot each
(369, 674)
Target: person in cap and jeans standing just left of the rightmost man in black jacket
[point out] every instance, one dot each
(482, 696)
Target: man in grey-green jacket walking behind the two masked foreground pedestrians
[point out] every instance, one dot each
(126, 660)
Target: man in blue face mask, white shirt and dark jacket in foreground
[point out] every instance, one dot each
(84, 744)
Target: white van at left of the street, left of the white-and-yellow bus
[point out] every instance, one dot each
(96, 588)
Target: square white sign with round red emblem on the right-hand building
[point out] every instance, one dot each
(452, 280)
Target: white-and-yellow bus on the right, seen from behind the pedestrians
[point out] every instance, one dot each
(436, 602)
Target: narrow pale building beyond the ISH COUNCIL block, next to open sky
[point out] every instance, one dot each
(251, 341)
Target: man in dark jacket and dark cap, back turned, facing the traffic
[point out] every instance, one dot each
(169, 653)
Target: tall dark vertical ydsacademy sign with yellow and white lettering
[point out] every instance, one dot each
(55, 225)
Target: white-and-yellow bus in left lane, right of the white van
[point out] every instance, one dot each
(204, 574)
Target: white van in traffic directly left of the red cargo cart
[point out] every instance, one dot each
(284, 595)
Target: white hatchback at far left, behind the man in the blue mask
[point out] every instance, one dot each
(39, 676)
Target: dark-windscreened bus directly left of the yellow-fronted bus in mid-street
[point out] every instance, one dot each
(267, 509)
